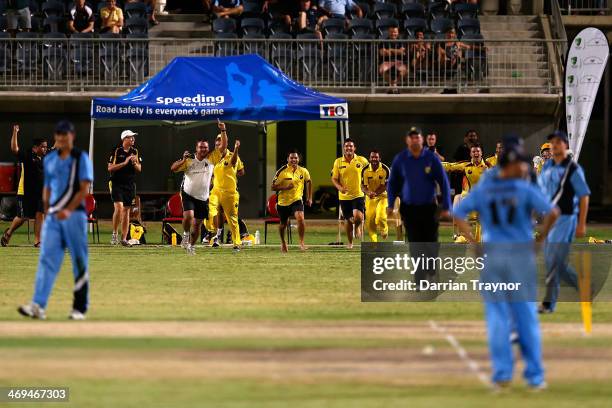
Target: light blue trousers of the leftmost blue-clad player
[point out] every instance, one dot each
(57, 236)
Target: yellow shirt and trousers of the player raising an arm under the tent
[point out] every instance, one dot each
(224, 193)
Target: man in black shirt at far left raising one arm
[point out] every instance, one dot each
(29, 193)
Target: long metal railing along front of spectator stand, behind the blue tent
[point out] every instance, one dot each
(338, 65)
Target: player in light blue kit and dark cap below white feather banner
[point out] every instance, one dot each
(563, 182)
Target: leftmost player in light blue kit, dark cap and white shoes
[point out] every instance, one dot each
(68, 174)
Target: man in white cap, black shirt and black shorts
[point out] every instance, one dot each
(123, 164)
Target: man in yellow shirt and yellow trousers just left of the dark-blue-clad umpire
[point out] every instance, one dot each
(374, 184)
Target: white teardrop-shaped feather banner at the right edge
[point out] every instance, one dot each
(584, 69)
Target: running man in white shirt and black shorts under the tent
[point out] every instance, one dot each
(195, 190)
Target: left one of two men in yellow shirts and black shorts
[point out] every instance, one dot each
(289, 183)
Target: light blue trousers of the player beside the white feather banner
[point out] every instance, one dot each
(556, 255)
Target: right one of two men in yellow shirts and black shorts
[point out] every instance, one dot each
(346, 177)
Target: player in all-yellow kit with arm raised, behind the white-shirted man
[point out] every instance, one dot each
(224, 193)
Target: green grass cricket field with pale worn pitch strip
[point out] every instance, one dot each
(259, 328)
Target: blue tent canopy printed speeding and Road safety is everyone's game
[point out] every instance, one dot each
(242, 87)
